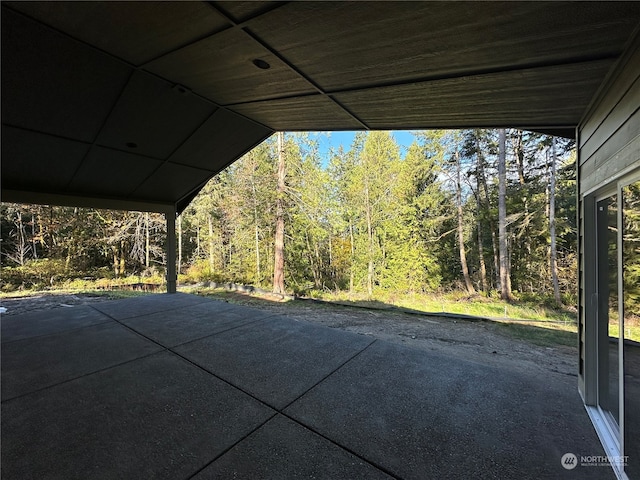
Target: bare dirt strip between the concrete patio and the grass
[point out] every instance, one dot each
(478, 341)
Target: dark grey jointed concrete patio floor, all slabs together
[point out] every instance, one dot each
(181, 386)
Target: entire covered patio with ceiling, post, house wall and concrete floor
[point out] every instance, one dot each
(137, 105)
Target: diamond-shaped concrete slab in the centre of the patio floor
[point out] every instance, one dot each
(276, 359)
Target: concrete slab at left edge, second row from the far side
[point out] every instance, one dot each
(34, 363)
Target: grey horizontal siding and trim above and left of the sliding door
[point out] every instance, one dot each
(608, 148)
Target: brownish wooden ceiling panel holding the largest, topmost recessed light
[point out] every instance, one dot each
(221, 68)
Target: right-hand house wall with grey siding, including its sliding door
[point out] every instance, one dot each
(608, 141)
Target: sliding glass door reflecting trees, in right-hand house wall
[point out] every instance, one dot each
(618, 324)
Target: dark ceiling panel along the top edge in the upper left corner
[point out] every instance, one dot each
(134, 31)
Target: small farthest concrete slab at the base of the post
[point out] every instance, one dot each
(145, 305)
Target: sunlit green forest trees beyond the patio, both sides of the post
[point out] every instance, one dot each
(489, 211)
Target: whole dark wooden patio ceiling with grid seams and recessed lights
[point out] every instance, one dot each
(139, 104)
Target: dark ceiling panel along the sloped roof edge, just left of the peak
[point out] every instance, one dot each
(222, 139)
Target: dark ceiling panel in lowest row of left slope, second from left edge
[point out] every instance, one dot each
(110, 181)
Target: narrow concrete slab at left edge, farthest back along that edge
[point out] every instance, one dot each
(46, 322)
